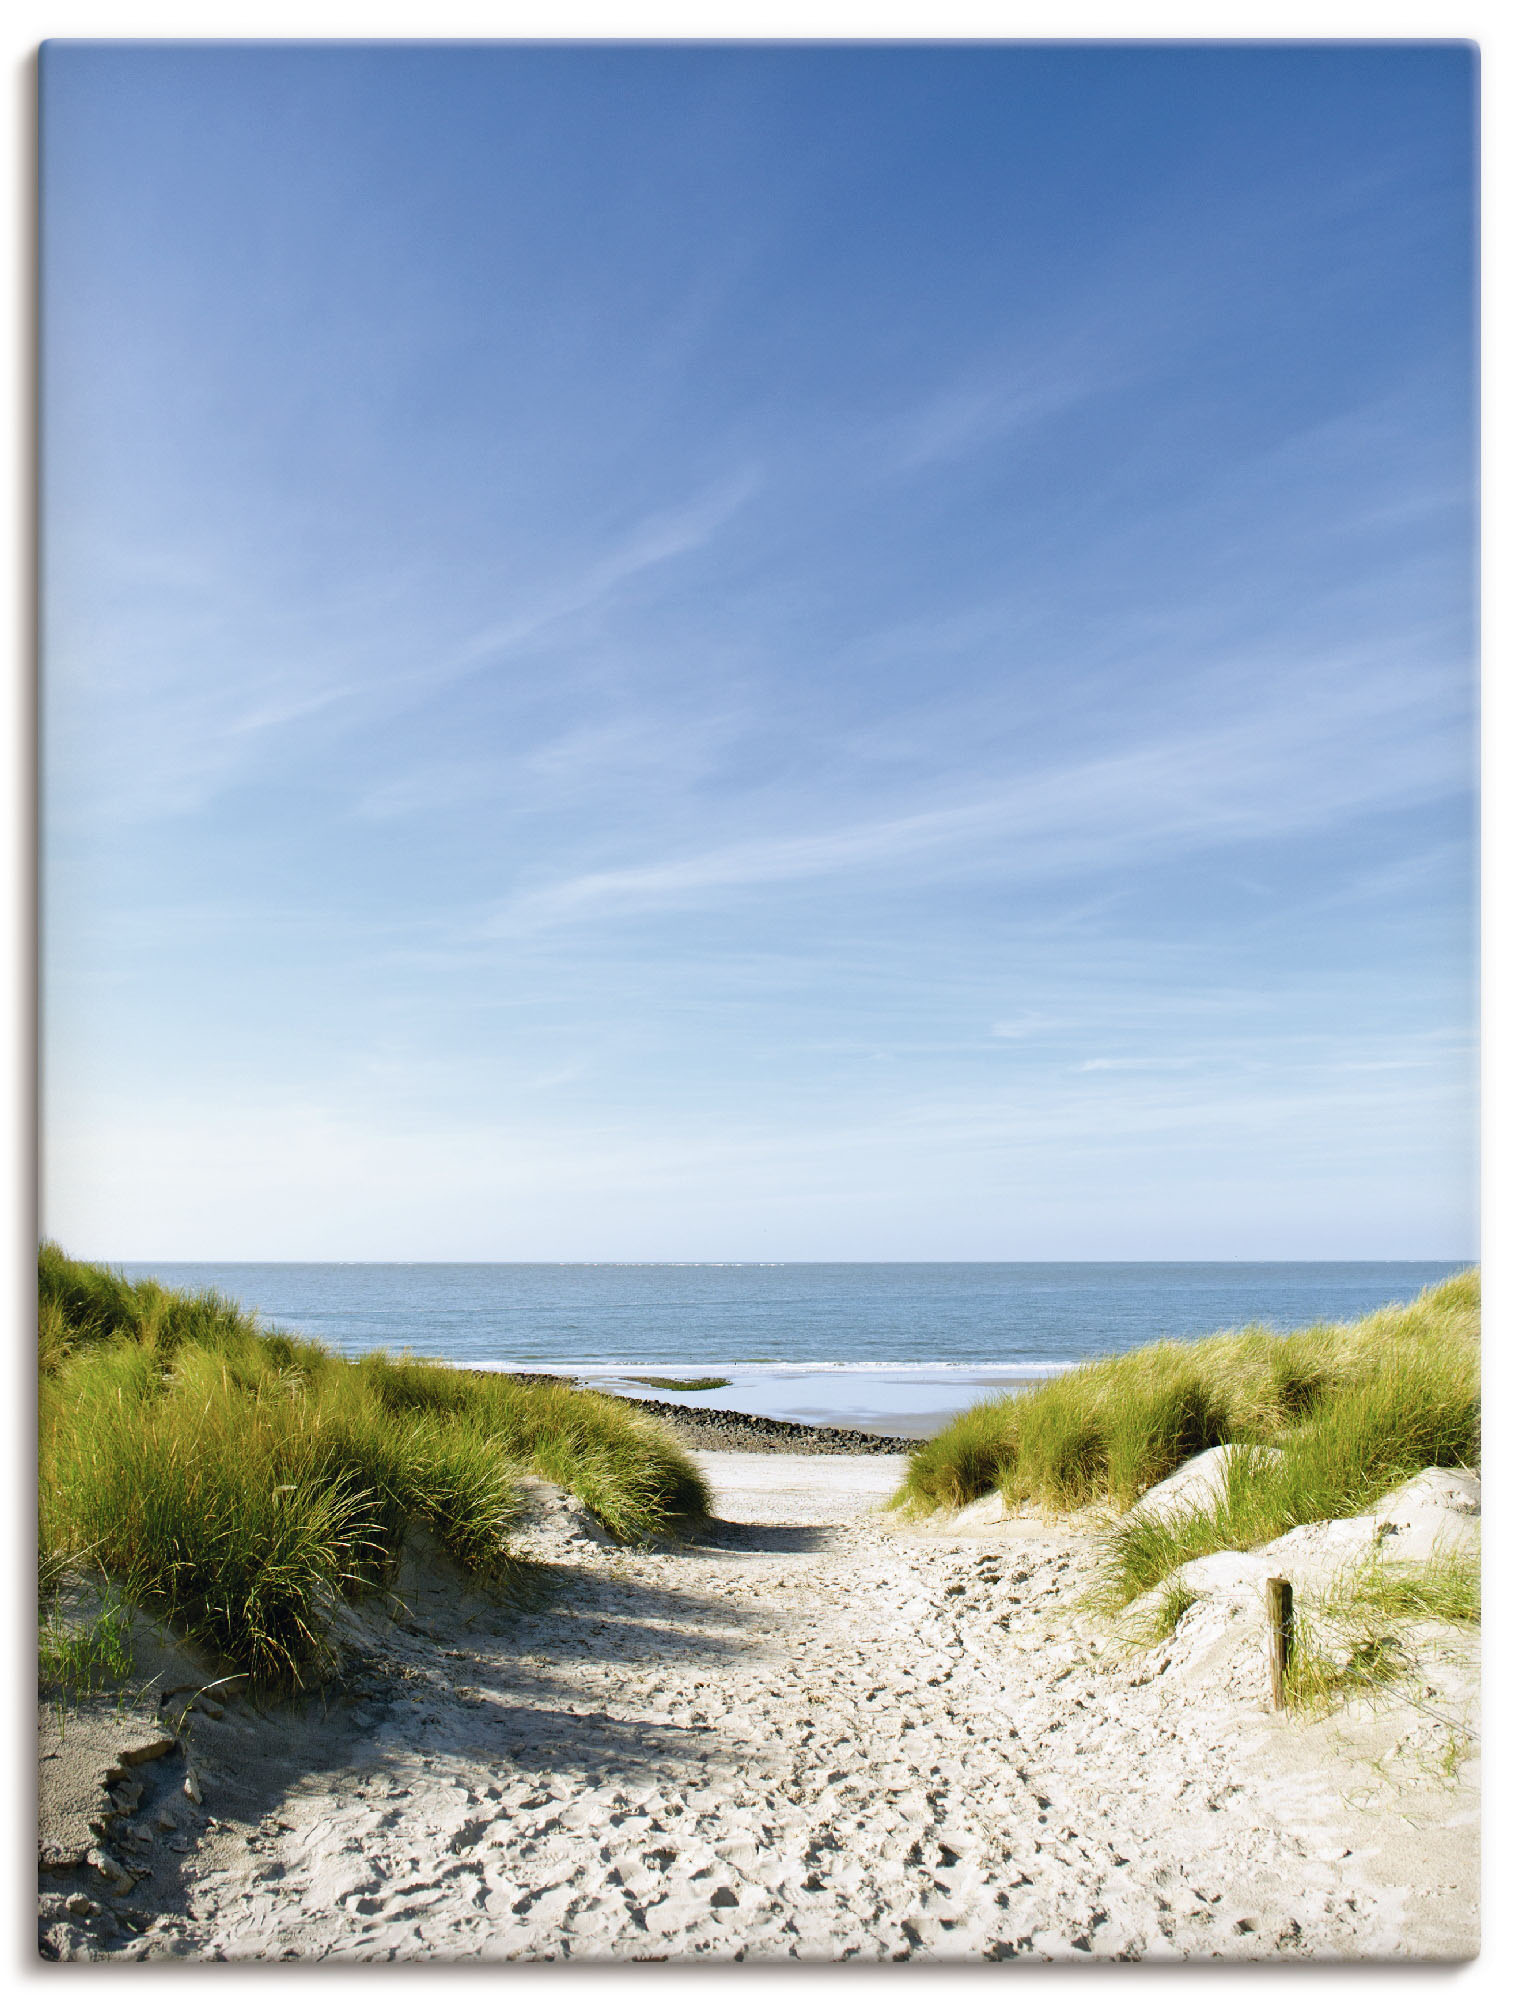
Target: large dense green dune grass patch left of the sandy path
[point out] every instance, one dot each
(243, 1481)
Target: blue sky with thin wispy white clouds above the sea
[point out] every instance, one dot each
(824, 653)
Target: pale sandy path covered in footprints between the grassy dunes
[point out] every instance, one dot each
(812, 1737)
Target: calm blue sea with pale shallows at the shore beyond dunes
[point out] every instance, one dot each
(876, 1347)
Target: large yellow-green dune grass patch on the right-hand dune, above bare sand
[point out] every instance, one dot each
(1326, 1421)
